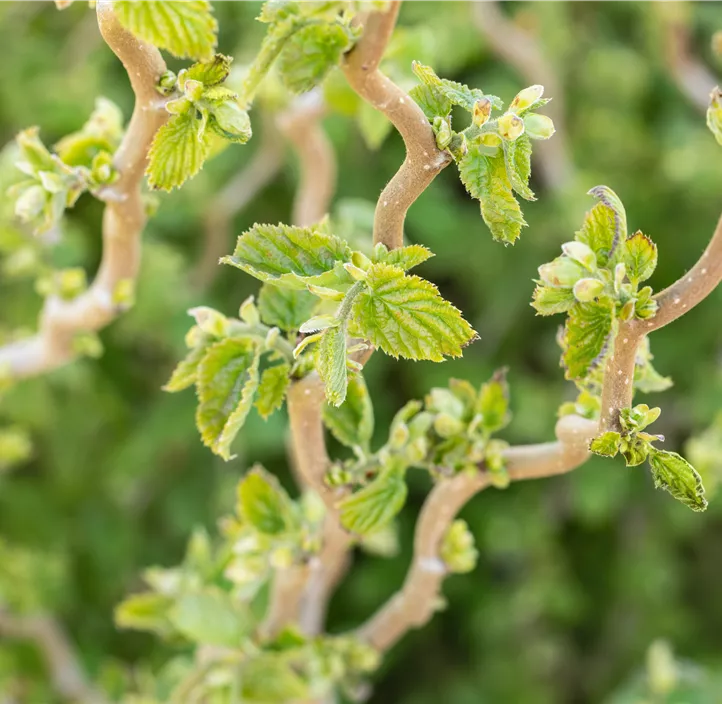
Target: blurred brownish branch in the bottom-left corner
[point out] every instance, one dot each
(66, 673)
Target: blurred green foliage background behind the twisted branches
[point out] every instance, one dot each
(577, 575)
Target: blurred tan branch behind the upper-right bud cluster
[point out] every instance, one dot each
(522, 50)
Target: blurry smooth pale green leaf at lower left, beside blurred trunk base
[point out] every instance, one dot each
(208, 617)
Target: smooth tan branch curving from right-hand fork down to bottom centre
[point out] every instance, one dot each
(417, 600)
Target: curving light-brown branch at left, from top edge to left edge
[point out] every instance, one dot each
(123, 219)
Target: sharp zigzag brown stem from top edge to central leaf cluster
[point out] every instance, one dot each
(423, 159)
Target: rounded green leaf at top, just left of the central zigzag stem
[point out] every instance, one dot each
(310, 54)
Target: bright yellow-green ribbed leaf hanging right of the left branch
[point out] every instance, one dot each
(178, 151)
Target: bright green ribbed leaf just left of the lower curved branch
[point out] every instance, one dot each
(374, 506)
